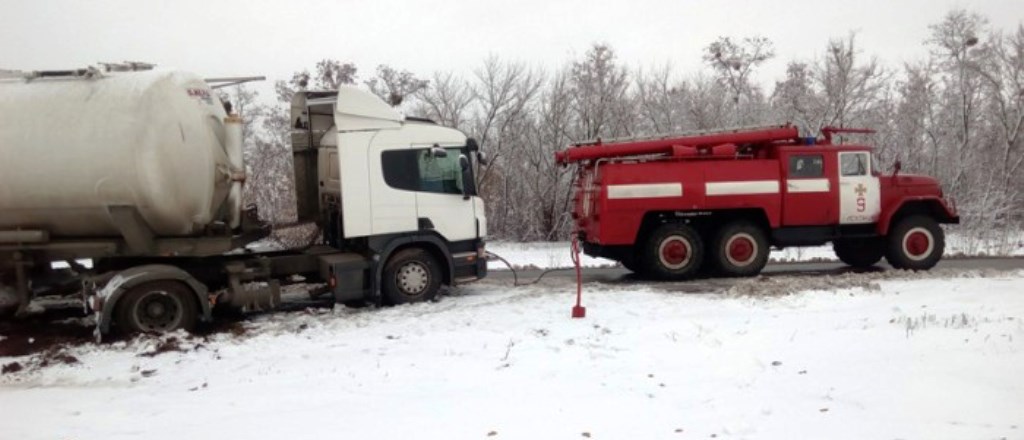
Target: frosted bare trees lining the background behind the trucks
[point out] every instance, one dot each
(958, 115)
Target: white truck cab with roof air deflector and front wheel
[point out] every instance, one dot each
(399, 191)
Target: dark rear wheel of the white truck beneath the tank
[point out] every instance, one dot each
(157, 307)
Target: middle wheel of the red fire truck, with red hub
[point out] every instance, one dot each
(740, 249)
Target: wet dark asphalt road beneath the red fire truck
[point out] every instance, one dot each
(616, 276)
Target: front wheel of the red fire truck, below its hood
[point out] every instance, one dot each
(916, 243)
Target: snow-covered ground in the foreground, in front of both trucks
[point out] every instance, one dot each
(889, 356)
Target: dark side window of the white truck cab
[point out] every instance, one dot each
(417, 170)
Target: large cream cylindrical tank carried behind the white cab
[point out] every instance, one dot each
(73, 147)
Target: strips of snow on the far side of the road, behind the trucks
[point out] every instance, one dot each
(553, 255)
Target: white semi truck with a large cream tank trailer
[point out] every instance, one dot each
(142, 173)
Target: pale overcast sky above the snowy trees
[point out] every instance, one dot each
(253, 37)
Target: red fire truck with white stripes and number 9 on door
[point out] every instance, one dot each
(715, 202)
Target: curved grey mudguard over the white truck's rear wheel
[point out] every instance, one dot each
(123, 282)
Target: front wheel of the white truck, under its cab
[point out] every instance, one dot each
(411, 276)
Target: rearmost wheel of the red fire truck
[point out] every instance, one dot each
(674, 251)
